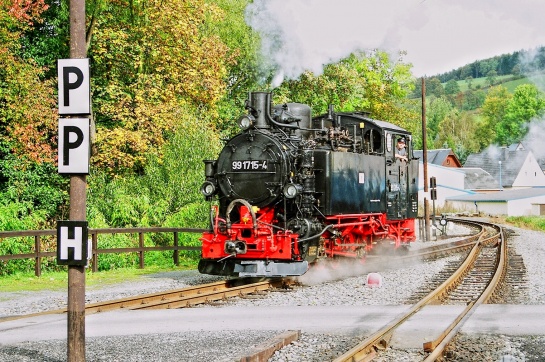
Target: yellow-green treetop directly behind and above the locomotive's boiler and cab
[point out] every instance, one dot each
(361, 81)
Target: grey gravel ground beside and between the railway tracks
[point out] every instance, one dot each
(320, 288)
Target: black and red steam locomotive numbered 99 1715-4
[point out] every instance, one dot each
(292, 190)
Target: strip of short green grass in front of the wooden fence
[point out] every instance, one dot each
(58, 281)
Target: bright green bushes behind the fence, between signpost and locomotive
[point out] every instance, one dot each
(167, 194)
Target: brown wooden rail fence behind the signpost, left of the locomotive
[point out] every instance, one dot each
(38, 254)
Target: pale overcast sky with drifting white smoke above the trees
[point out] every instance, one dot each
(438, 35)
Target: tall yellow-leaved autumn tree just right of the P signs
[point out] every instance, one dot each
(150, 60)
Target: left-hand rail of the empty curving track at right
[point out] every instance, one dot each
(366, 350)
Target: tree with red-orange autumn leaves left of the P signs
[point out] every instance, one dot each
(28, 118)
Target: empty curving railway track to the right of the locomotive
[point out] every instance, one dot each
(472, 283)
